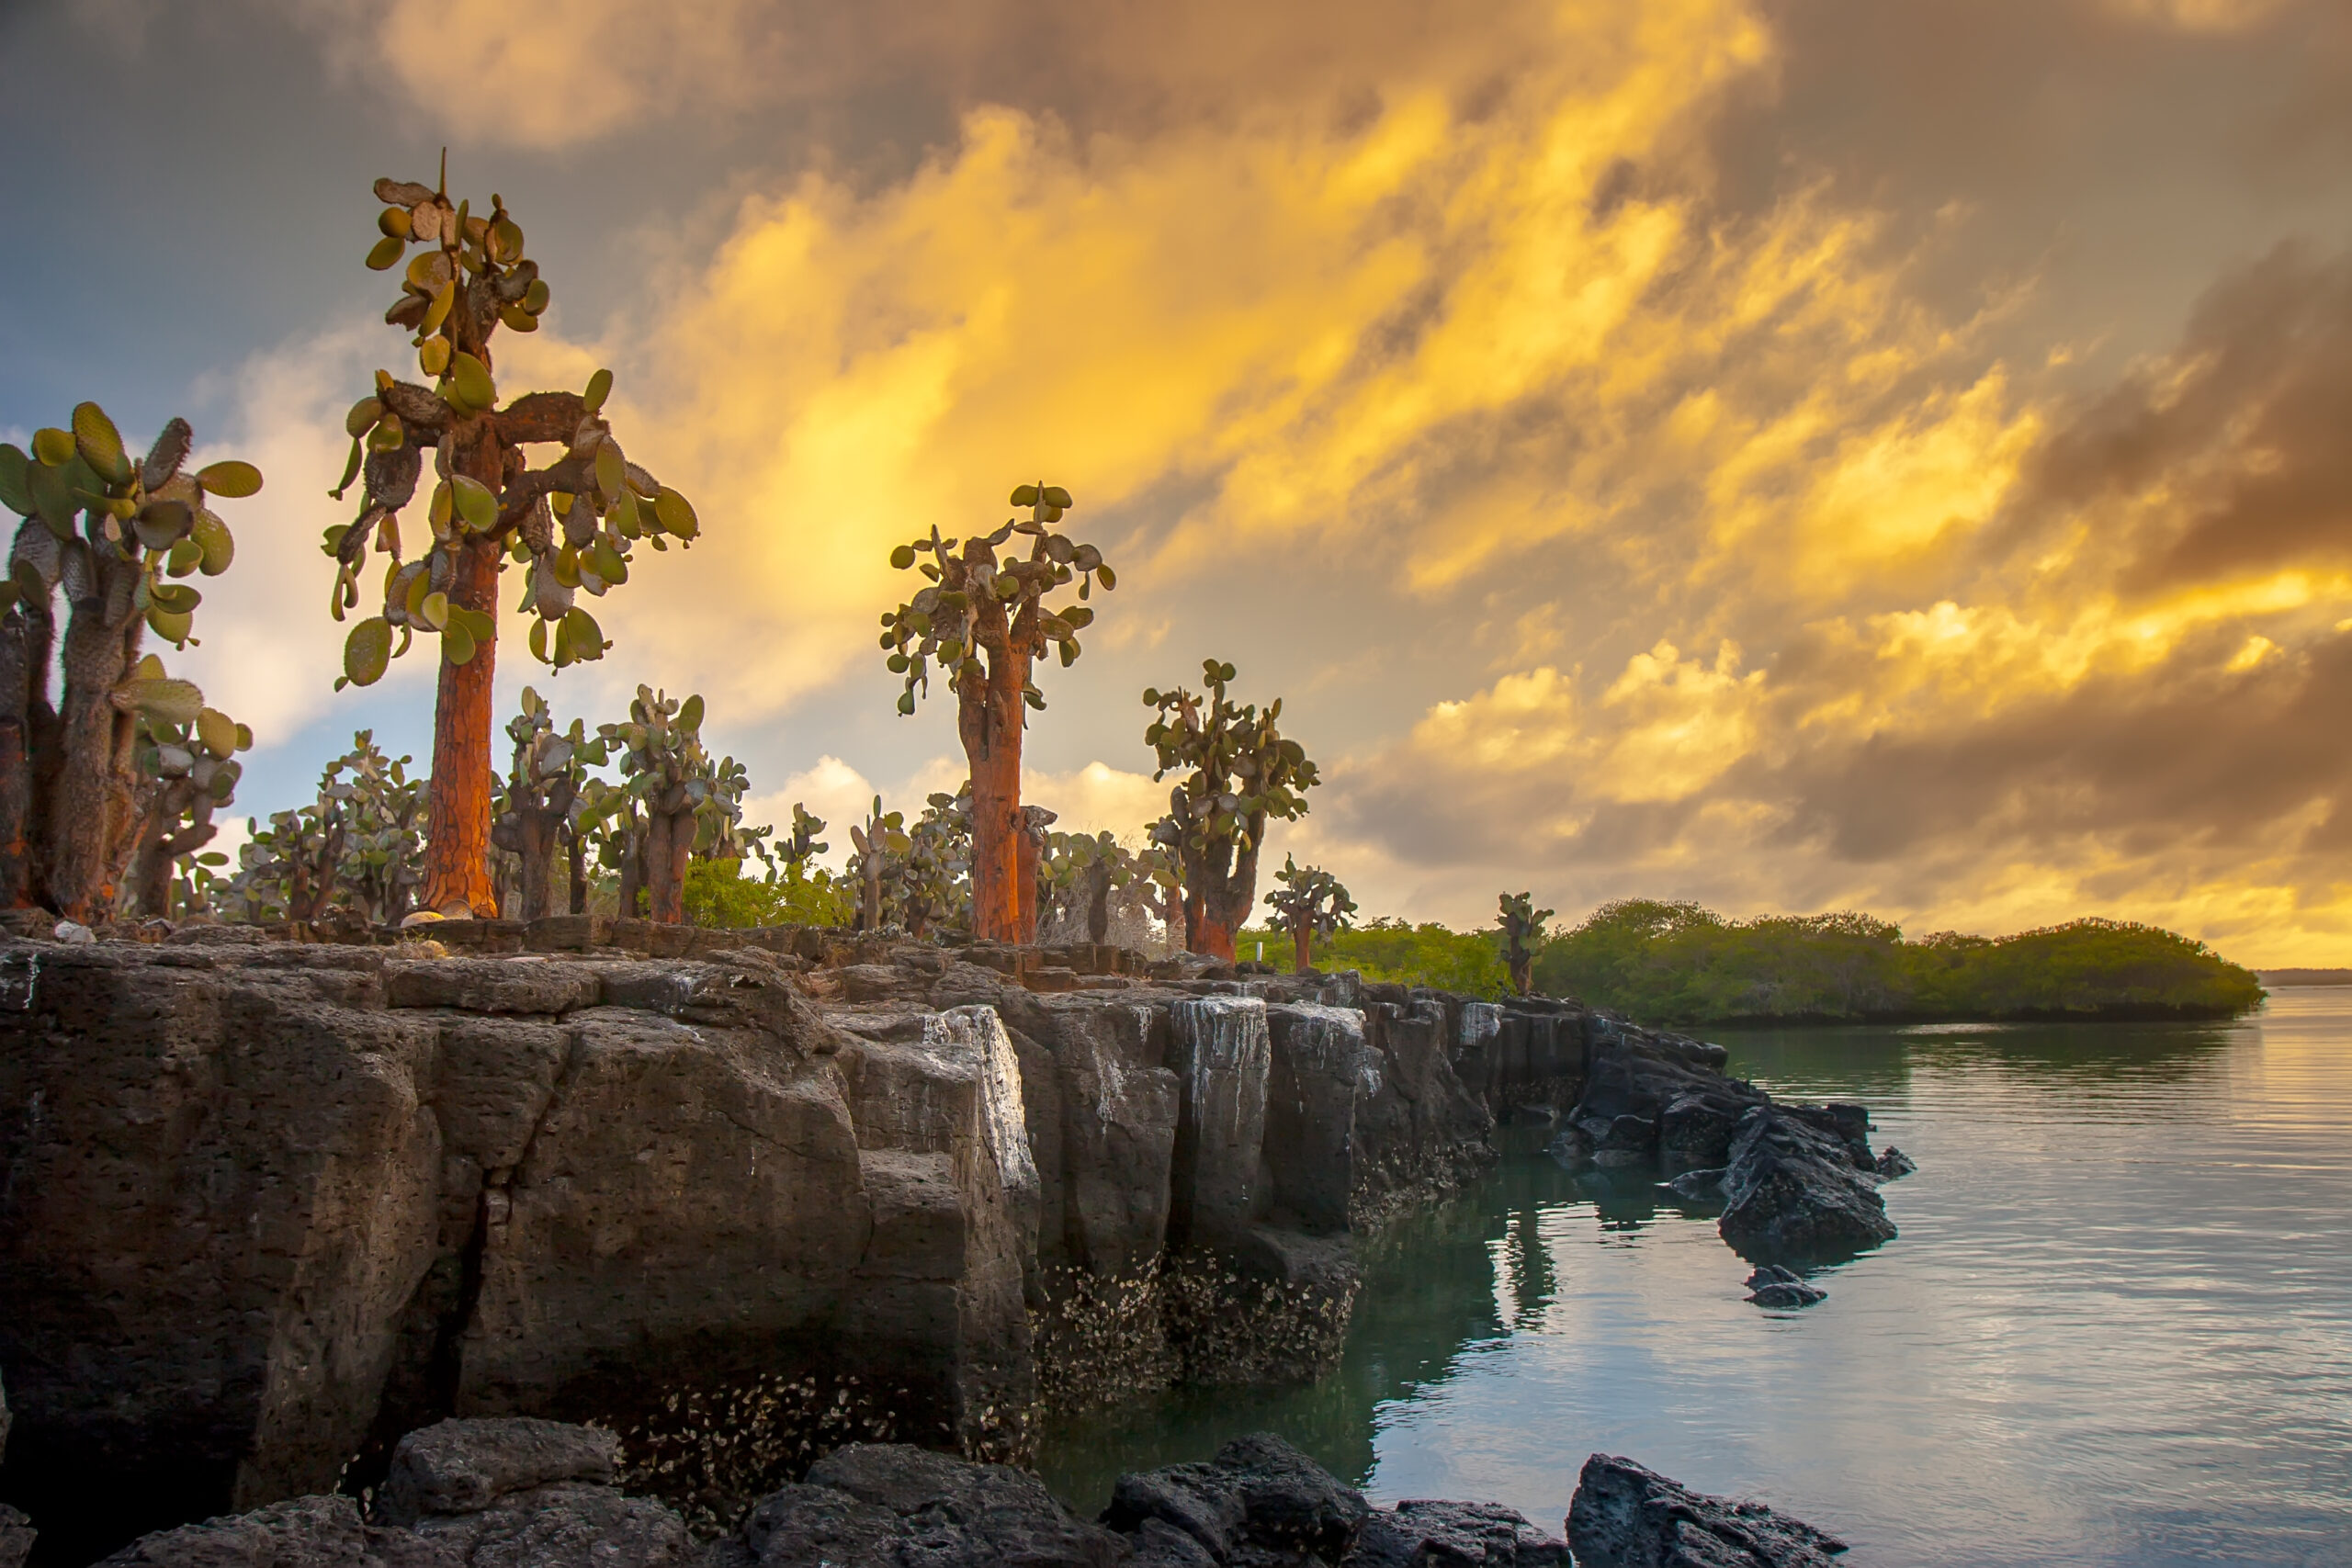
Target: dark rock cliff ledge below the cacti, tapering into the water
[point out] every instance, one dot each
(744, 1198)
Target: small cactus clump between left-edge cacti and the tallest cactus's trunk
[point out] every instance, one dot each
(356, 852)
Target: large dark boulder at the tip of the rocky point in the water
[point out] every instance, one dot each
(1798, 1191)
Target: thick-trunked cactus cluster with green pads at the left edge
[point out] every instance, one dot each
(116, 540)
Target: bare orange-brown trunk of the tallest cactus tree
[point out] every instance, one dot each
(457, 831)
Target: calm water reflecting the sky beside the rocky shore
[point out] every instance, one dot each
(2116, 1329)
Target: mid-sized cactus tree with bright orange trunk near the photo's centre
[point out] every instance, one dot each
(982, 624)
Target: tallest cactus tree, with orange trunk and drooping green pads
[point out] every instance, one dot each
(573, 523)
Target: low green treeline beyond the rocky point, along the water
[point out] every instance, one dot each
(1676, 963)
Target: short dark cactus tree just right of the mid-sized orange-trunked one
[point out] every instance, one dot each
(1241, 775)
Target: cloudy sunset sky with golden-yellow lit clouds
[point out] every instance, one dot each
(1791, 455)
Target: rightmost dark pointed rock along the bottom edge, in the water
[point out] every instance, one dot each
(1633, 1517)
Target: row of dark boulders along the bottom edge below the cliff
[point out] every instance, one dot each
(533, 1494)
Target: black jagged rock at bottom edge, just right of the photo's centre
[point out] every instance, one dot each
(1257, 1492)
